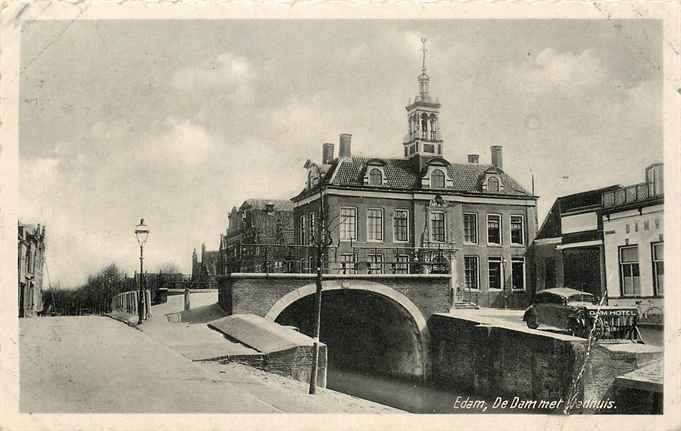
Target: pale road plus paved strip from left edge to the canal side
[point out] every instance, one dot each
(92, 364)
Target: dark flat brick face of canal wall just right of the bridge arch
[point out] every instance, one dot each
(497, 361)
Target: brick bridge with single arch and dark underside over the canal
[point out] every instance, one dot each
(370, 322)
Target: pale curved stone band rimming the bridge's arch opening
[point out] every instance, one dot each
(390, 294)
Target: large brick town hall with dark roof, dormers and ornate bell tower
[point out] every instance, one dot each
(383, 213)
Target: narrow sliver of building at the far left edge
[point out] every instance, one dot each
(31, 262)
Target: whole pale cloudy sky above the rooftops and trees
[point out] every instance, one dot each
(179, 121)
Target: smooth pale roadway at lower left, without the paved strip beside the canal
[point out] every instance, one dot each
(95, 364)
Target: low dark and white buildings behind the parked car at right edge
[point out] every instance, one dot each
(608, 241)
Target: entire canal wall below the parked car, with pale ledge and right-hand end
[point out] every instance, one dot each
(497, 359)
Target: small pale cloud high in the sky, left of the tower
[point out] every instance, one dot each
(230, 75)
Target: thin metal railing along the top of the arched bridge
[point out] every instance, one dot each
(269, 258)
